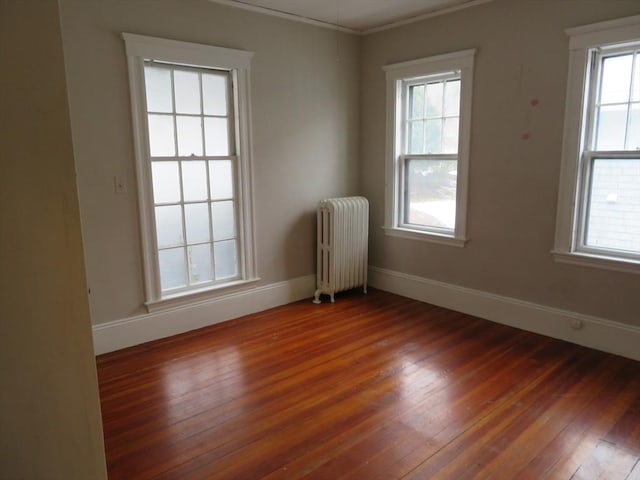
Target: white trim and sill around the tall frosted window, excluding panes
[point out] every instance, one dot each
(138, 49)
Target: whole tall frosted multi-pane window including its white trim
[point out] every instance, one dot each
(192, 145)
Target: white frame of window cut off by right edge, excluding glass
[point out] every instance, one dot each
(568, 245)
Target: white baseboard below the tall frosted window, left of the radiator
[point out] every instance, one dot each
(118, 334)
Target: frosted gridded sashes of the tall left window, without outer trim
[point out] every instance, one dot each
(192, 157)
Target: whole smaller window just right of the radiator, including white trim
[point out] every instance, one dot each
(429, 109)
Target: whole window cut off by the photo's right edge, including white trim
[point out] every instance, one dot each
(599, 204)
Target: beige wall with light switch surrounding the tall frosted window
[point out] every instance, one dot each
(305, 83)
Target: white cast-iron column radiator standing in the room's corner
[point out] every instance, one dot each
(343, 239)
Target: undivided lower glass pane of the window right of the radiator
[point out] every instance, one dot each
(431, 193)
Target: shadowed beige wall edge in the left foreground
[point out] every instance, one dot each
(49, 411)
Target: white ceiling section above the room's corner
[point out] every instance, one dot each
(356, 16)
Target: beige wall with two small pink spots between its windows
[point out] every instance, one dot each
(522, 55)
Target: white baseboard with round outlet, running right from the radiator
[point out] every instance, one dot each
(601, 334)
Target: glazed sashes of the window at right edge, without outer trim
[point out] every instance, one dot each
(609, 210)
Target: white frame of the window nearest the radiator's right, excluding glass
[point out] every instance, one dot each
(398, 76)
